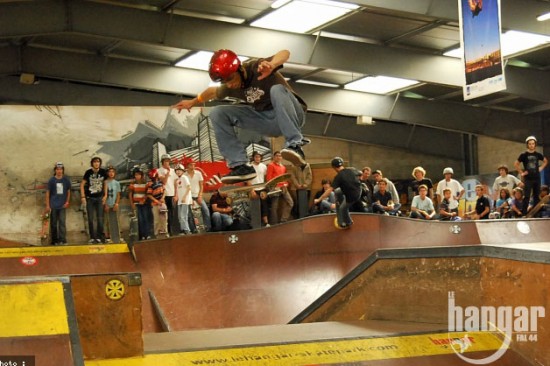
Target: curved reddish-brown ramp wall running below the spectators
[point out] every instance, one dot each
(254, 277)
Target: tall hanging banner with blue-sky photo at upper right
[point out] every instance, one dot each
(480, 41)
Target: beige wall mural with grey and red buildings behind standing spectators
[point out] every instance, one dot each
(34, 138)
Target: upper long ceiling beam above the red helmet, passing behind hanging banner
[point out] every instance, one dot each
(135, 25)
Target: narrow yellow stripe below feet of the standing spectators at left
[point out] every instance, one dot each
(47, 251)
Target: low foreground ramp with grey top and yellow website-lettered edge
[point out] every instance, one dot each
(340, 343)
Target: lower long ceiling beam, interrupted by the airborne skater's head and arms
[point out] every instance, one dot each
(132, 75)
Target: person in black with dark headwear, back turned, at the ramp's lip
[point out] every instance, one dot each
(348, 191)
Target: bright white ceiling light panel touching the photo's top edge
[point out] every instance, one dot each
(301, 16)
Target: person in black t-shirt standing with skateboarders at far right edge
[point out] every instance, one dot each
(529, 167)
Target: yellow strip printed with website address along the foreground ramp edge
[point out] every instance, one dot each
(323, 352)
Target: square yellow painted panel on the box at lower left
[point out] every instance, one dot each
(33, 309)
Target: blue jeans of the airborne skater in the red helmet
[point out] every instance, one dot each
(285, 119)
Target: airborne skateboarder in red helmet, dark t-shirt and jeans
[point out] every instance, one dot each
(271, 108)
